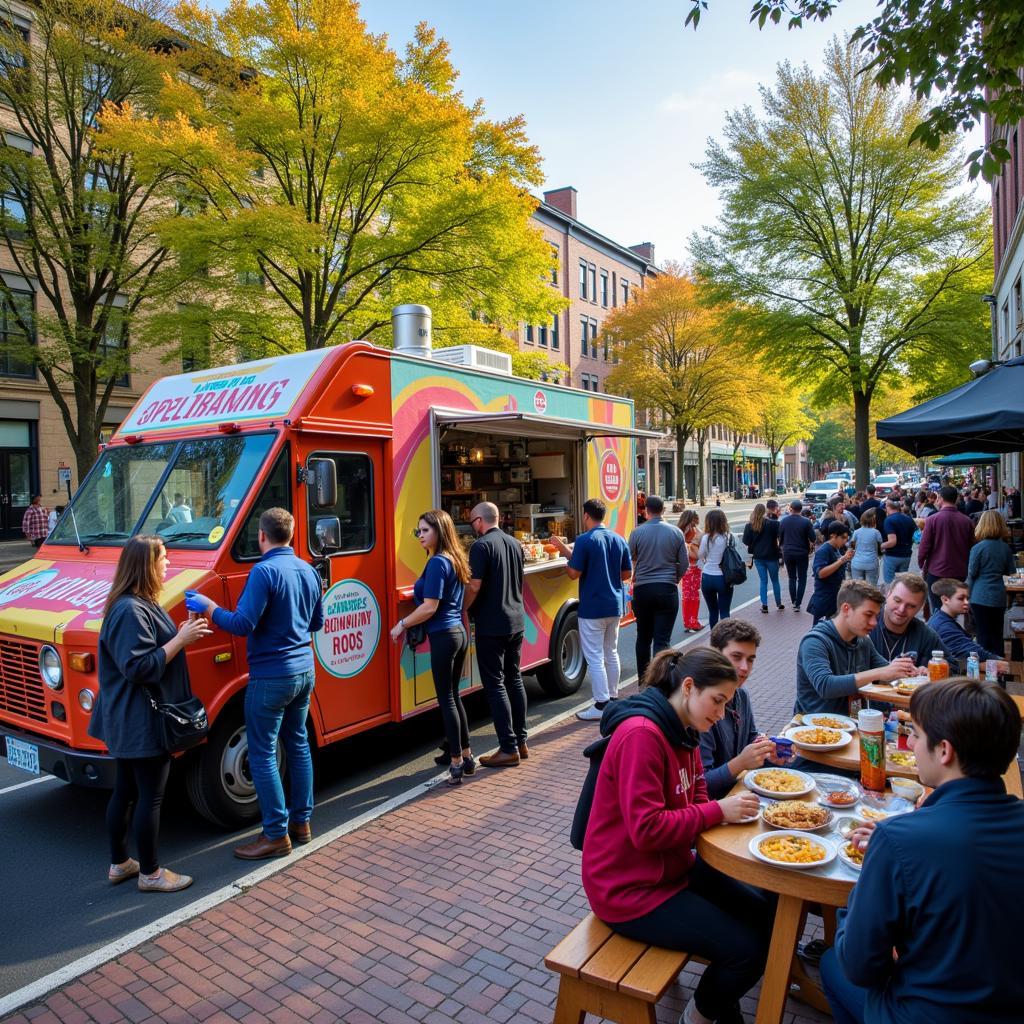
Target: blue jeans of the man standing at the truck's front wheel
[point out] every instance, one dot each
(279, 707)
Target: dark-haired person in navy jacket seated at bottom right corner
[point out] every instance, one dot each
(931, 933)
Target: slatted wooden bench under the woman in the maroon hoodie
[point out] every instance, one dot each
(611, 976)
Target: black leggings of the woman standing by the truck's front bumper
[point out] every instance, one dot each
(141, 784)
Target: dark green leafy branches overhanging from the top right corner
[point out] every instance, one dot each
(969, 54)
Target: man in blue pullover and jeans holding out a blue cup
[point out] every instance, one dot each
(278, 611)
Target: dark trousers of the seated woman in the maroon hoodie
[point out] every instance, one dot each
(717, 918)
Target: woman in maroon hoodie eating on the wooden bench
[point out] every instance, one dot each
(651, 804)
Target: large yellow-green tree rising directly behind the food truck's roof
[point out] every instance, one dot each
(336, 180)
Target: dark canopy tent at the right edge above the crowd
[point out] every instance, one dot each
(986, 413)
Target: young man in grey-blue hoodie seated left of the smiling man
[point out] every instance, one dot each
(836, 659)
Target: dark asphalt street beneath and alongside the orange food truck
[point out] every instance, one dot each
(57, 904)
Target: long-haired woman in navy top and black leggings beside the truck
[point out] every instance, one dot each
(439, 595)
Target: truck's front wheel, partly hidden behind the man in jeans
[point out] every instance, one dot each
(219, 781)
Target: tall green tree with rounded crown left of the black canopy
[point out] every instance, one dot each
(847, 244)
